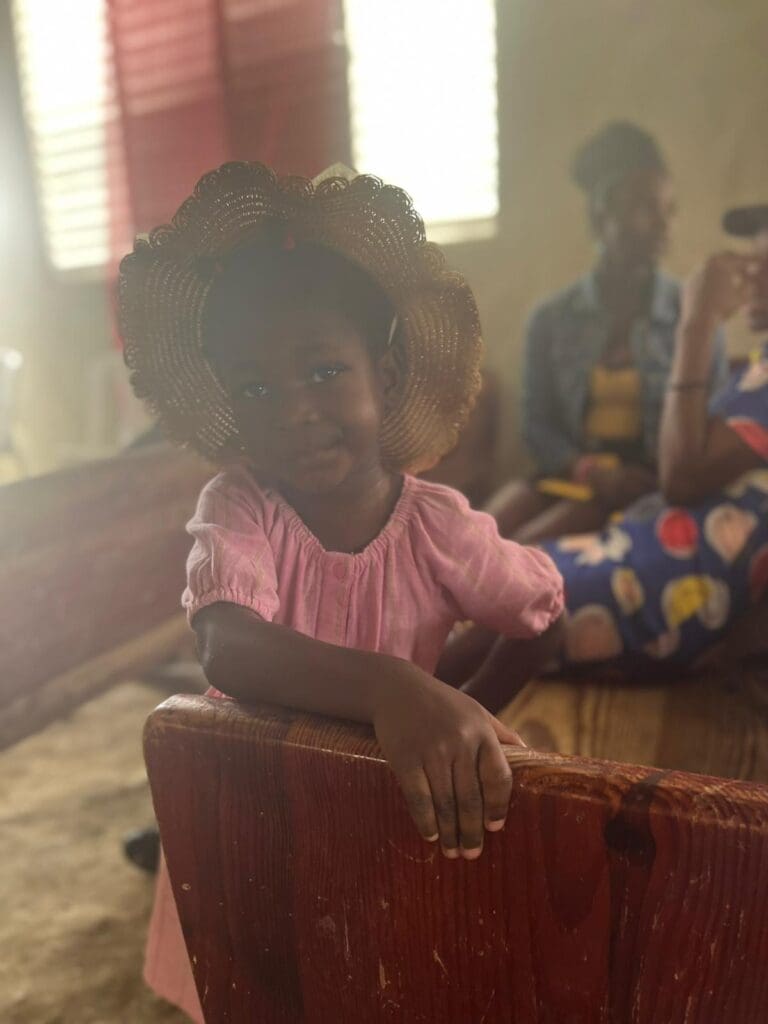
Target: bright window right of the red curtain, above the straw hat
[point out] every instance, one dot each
(422, 91)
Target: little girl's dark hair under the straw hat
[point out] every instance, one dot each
(277, 271)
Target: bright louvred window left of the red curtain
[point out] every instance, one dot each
(63, 54)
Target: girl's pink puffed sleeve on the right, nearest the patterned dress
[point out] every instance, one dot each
(515, 590)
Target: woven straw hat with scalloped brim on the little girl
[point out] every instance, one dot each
(165, 281)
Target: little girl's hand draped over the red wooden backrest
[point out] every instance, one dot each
(446, 751)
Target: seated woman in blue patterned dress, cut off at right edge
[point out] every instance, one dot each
(689, 567)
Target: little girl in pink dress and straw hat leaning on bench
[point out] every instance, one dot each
(307, 337)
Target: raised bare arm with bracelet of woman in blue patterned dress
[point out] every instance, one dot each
(700, 455)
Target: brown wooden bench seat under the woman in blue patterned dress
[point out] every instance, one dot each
(715, 723)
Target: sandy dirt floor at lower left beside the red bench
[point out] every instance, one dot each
(73, 912)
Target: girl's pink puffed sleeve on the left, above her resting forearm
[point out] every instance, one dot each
(232, 560)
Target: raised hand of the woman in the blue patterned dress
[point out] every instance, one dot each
(722, 285)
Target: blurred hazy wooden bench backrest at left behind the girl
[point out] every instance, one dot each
(92, 559)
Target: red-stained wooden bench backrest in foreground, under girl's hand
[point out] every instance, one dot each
(615, 894)
